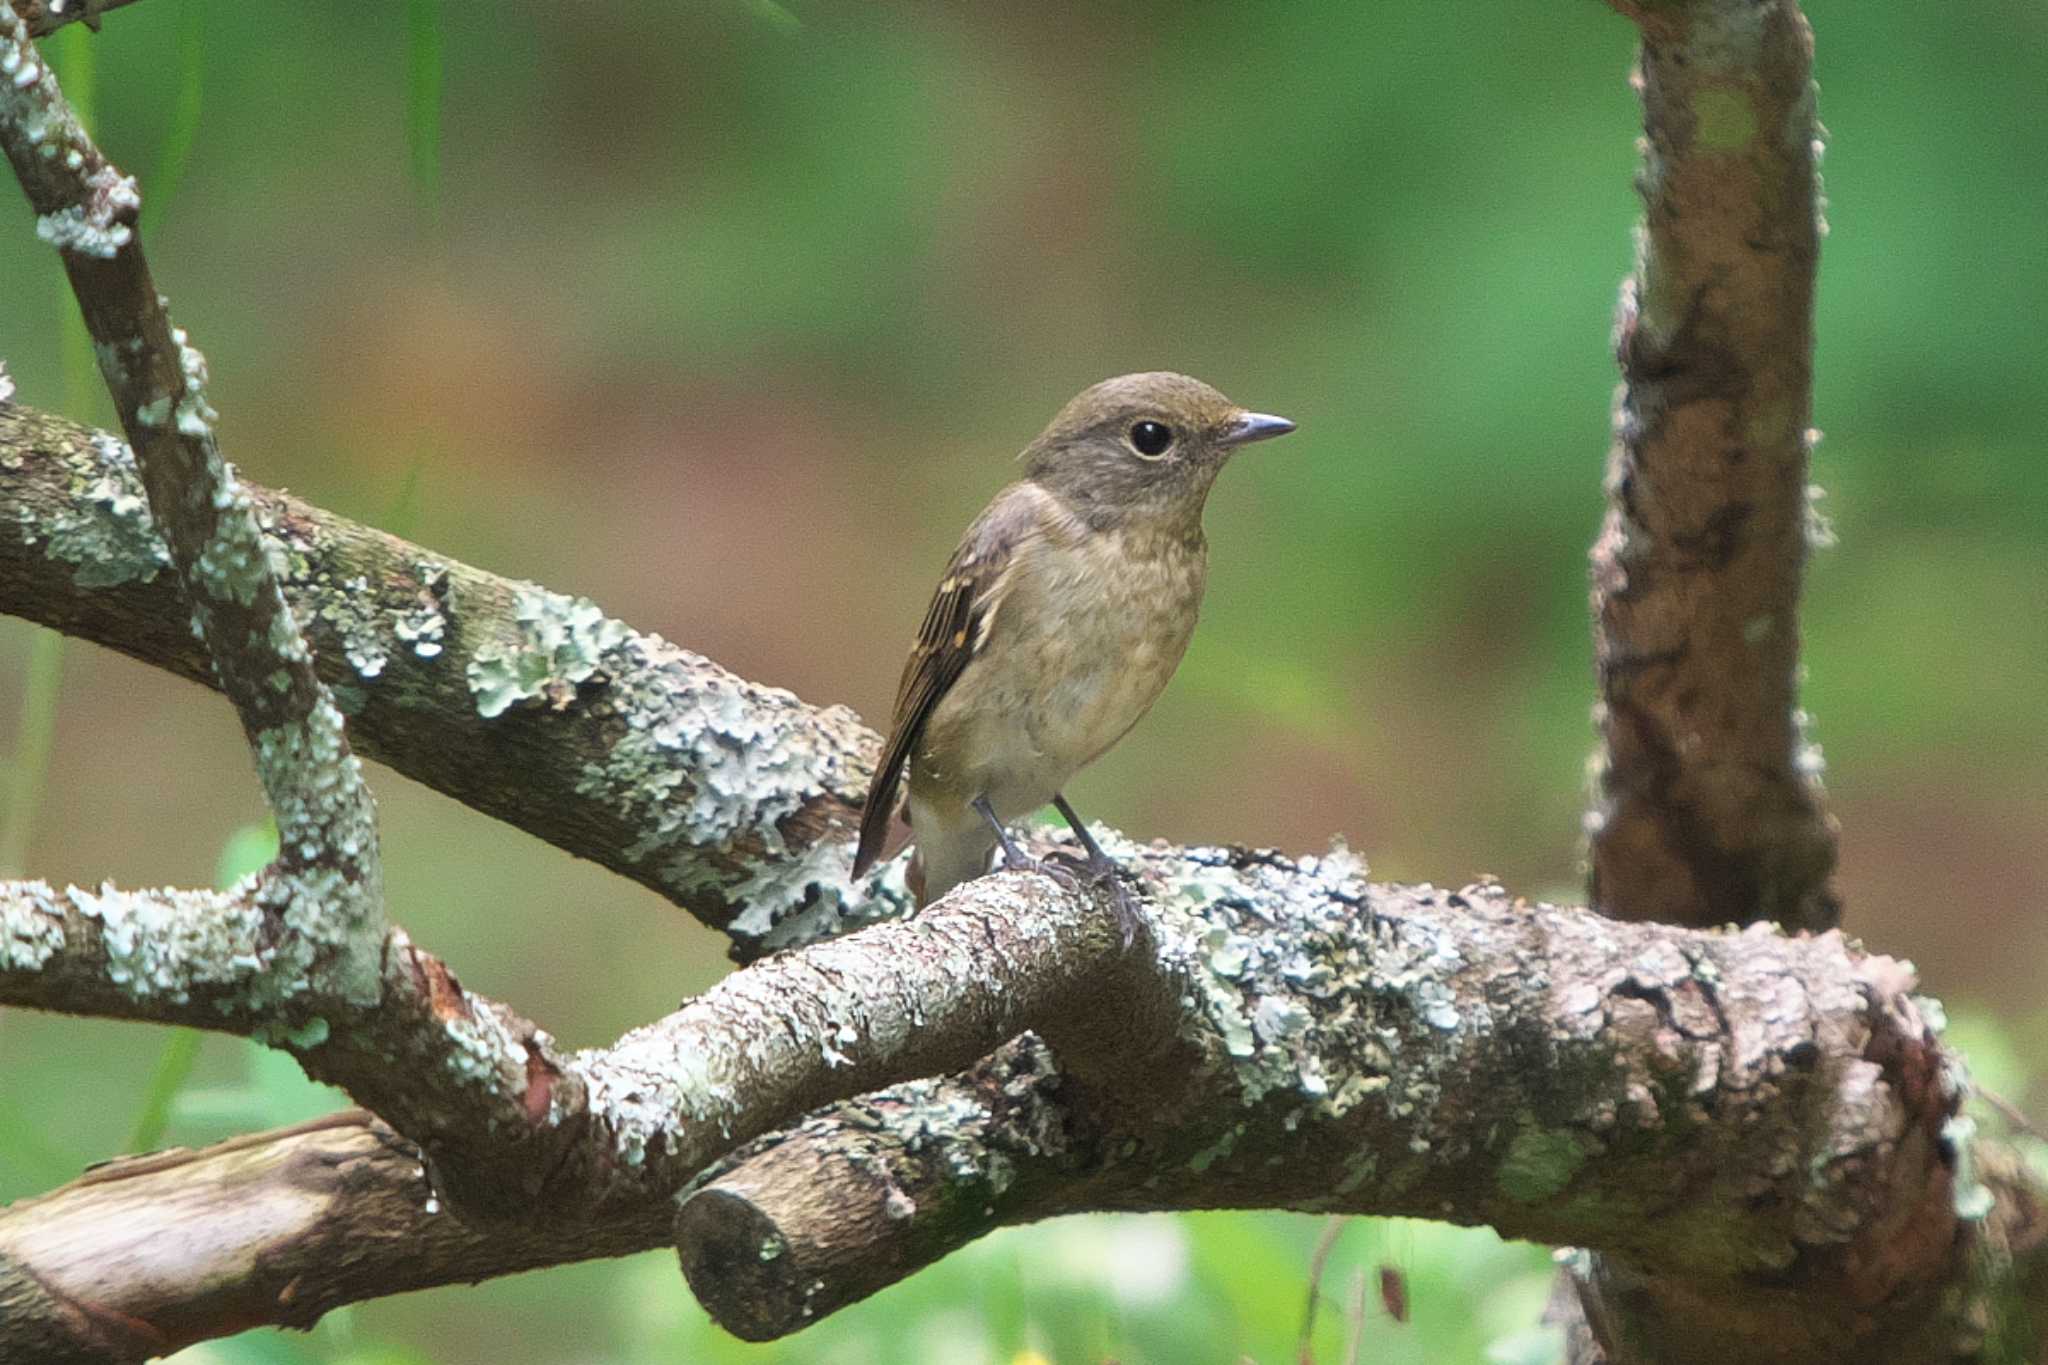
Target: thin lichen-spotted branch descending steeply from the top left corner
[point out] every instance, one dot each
(325, 893)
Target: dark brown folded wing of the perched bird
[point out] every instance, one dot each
(955, 631)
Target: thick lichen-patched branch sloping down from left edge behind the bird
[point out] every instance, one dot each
(732, 799)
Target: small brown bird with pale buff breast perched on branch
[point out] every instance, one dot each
(1056, 627)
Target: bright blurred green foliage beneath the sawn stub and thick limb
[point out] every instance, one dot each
(1150, 1290)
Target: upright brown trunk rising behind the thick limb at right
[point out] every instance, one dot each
(1709, 807)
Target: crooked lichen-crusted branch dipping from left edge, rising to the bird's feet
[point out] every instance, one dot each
(519, 1131)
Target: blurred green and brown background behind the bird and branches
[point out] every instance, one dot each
(732, 314)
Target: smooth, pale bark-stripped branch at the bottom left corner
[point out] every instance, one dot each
(153, 1253)
